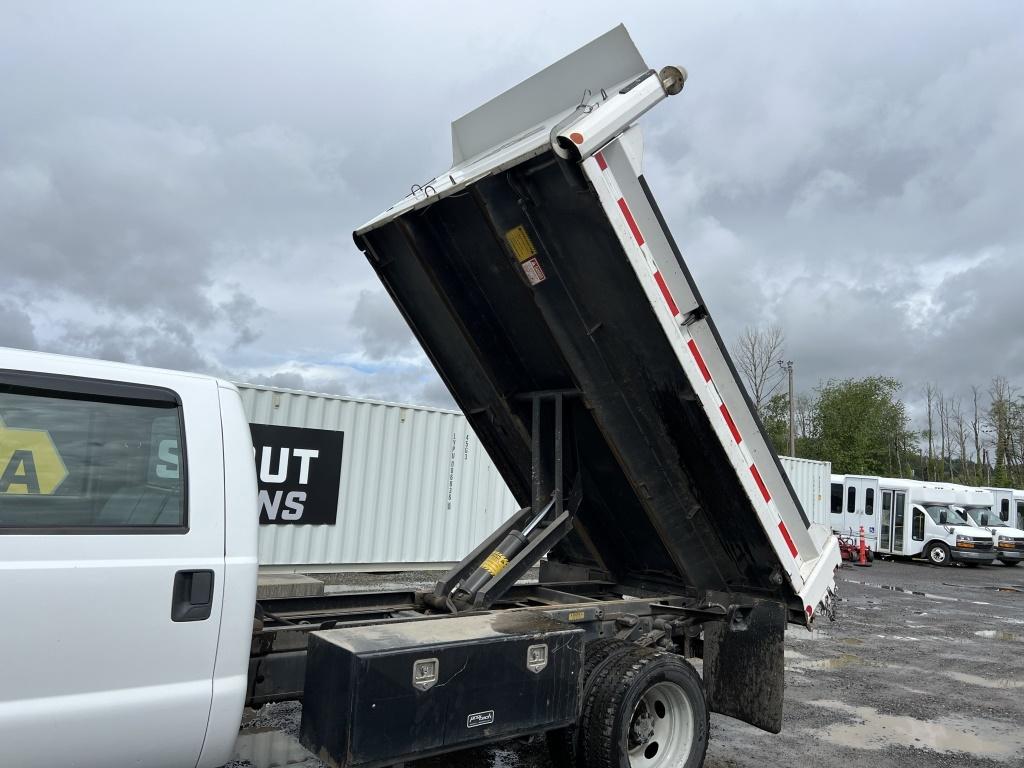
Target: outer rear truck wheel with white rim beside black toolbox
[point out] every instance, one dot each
(648, 710)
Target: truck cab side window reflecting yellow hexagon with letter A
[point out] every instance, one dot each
(90, 457)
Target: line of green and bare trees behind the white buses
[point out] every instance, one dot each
(863, 425)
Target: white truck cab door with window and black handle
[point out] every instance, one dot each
(112, 558)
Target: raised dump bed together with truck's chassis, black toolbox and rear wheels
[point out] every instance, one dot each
(540, 278)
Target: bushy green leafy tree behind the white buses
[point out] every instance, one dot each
(862, 428)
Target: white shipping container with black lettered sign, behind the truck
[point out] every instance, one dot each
(416, 488)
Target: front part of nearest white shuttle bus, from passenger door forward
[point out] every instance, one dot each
(922, 520)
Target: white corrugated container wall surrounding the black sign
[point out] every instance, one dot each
(416, 485)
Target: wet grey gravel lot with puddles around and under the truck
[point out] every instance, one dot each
(923, 666)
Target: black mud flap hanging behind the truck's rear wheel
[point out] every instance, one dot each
(744, 665)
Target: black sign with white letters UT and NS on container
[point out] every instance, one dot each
(300, 473)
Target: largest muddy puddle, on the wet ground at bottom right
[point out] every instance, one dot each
(874, 731)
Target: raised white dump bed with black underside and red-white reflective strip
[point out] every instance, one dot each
(542, 263)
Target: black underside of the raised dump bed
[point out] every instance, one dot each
(661, 504)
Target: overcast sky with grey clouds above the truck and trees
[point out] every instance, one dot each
(179, 182)
